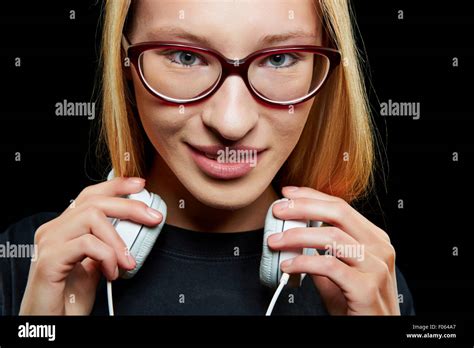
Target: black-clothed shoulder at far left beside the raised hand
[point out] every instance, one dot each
(16, 249)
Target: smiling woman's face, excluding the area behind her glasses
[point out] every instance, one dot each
(231, 117)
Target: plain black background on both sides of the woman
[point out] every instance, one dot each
(410, 60)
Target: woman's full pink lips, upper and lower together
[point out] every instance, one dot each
(219, 170)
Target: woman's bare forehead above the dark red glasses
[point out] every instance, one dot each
(234, 27)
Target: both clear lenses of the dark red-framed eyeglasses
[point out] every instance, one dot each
(185, 75)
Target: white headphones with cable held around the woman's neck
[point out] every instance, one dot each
(140, 239)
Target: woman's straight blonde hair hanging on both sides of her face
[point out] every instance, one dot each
(335, 153)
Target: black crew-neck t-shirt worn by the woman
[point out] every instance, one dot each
(186, 273)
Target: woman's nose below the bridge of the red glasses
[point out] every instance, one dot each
(231, 111)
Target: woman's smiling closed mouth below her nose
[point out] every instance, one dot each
(225, 163)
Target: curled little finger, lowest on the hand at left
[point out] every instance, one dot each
(87, 245)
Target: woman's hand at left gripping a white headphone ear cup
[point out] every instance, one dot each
(80, 244)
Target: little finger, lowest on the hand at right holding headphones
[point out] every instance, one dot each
(344, 276)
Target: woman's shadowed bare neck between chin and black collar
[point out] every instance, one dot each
(185, 211)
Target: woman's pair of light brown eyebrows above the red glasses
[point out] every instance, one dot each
(263, 41)
